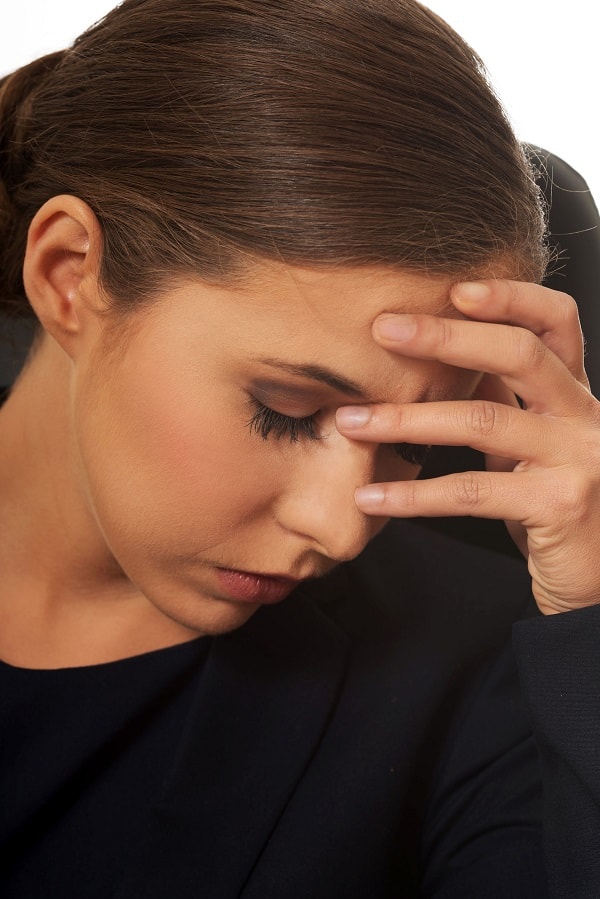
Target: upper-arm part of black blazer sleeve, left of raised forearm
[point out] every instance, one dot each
(482, 834)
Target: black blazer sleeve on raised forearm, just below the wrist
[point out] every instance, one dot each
(559, 663)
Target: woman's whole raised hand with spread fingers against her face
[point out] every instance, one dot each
(543, 460)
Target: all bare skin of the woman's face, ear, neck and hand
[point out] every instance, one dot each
(131, 470)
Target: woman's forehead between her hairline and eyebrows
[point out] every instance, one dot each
(306, 317)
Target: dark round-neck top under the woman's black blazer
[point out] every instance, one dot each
(76, 744)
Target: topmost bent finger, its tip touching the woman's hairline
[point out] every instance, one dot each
(550, 315)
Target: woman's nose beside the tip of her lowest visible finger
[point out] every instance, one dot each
(318, 503)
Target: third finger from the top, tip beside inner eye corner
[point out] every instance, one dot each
(493, 428)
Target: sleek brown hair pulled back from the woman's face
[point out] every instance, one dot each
(320, 132)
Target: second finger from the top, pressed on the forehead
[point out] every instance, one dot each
(515, 354)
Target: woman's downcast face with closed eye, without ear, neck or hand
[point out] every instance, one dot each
(208, 447)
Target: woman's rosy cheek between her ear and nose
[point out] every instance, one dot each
(170, 472)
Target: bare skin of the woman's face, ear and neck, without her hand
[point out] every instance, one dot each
(131, 470)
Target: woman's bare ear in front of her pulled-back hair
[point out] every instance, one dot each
(61, 269)
